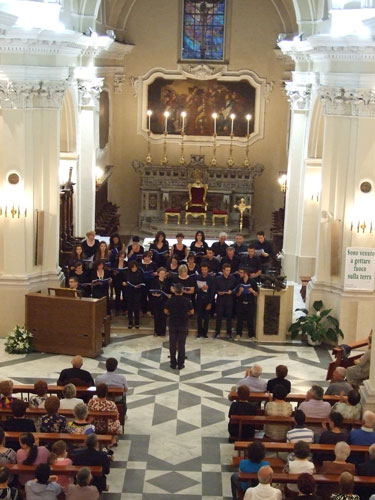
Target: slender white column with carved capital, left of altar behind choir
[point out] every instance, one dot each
(89, 91)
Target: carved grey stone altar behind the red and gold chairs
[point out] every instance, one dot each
(164, 186)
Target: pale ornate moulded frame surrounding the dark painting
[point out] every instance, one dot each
(202, 72)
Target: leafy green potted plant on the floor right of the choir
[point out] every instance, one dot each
(318, 325)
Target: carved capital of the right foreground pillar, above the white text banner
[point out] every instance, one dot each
(347, 102)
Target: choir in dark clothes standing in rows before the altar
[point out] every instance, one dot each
(220, 280)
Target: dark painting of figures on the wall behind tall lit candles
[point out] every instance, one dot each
(201, 98)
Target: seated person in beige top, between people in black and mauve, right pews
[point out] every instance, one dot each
(277, 408)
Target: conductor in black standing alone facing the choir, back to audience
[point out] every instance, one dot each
(178, 309)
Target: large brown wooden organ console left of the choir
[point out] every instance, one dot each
(65, 325)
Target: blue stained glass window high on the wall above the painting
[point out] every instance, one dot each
(203, 30)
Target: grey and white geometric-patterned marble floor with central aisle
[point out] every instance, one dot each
(175, 442)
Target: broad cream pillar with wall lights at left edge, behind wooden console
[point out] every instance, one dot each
(30, 145)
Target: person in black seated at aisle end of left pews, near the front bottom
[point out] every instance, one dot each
(90, 456)
